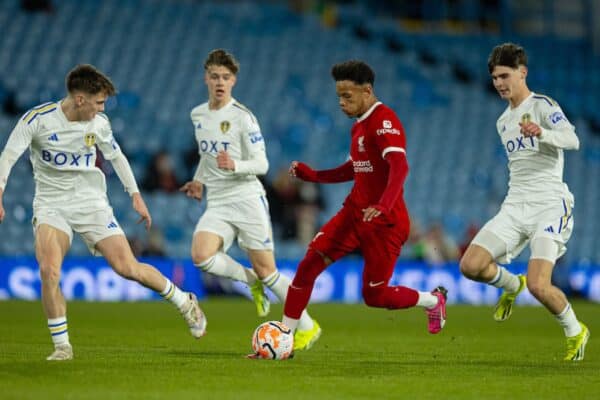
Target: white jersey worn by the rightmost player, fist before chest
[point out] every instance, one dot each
(536, 163)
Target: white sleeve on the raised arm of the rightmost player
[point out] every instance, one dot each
(556, 128)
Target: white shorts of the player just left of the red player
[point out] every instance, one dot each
(247, 219)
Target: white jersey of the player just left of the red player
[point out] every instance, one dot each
(232, 128)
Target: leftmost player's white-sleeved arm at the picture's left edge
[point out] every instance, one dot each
(18, 141)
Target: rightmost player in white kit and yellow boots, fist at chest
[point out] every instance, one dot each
(538, 207)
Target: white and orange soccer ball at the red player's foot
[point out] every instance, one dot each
(273, 340)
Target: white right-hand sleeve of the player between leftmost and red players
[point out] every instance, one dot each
(253, 142)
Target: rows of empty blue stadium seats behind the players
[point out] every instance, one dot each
(154, 51)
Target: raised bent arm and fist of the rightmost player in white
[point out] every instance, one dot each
(554, 129)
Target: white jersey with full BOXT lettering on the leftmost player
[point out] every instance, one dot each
(63, 155)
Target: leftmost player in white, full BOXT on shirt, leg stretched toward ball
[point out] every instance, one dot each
(70, 195)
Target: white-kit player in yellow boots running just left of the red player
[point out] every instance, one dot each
(232, 153)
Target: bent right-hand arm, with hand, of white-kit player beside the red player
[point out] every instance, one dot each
(254, 144)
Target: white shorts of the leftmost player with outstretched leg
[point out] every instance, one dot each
(92, 225)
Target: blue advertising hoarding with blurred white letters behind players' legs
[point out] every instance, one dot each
(92, 279)
